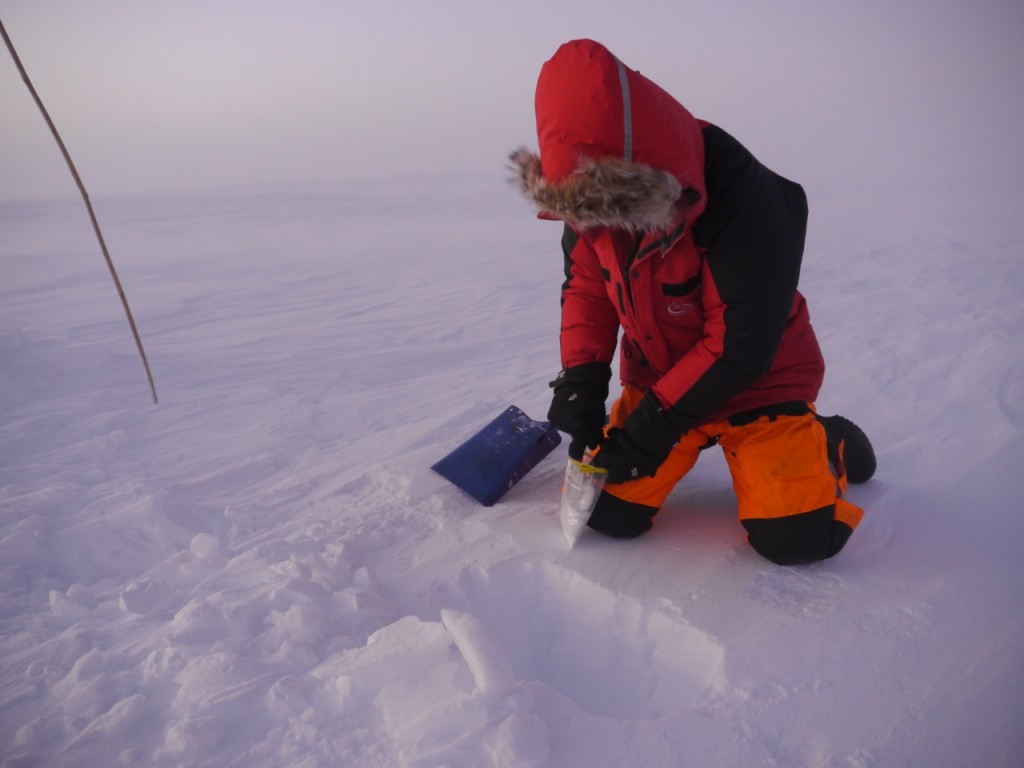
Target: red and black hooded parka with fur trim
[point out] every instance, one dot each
(676, 235)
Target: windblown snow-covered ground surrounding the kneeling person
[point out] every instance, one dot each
(262, 571)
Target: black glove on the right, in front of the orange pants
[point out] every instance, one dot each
(643, 446)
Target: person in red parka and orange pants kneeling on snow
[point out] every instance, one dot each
(678, 239)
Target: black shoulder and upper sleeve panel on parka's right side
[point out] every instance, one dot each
(753, 230)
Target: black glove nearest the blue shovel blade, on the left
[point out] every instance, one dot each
(578, 407)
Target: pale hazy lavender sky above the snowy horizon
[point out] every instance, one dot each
(184, 95)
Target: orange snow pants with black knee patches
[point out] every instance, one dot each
(790, 493)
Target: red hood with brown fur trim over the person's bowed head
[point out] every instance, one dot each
(616, 150)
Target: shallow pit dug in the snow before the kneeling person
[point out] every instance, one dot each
(613, 655)
